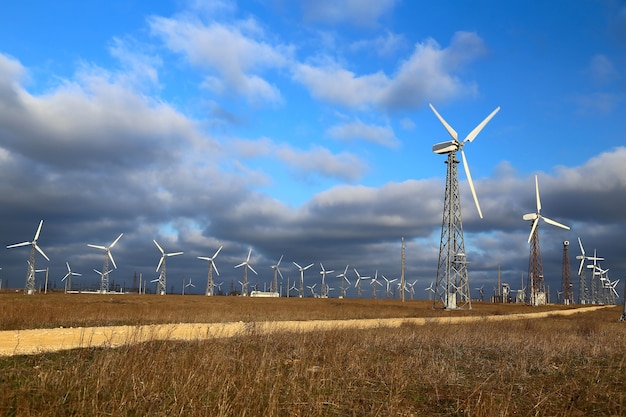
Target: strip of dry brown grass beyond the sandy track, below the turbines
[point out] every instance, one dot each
(18, 311)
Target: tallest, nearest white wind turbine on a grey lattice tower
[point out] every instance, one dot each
(452, 284)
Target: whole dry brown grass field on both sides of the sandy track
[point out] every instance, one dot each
(571, 365)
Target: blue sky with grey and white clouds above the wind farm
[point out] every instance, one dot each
(303, 129)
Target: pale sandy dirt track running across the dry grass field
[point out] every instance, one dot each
(27, 342)
